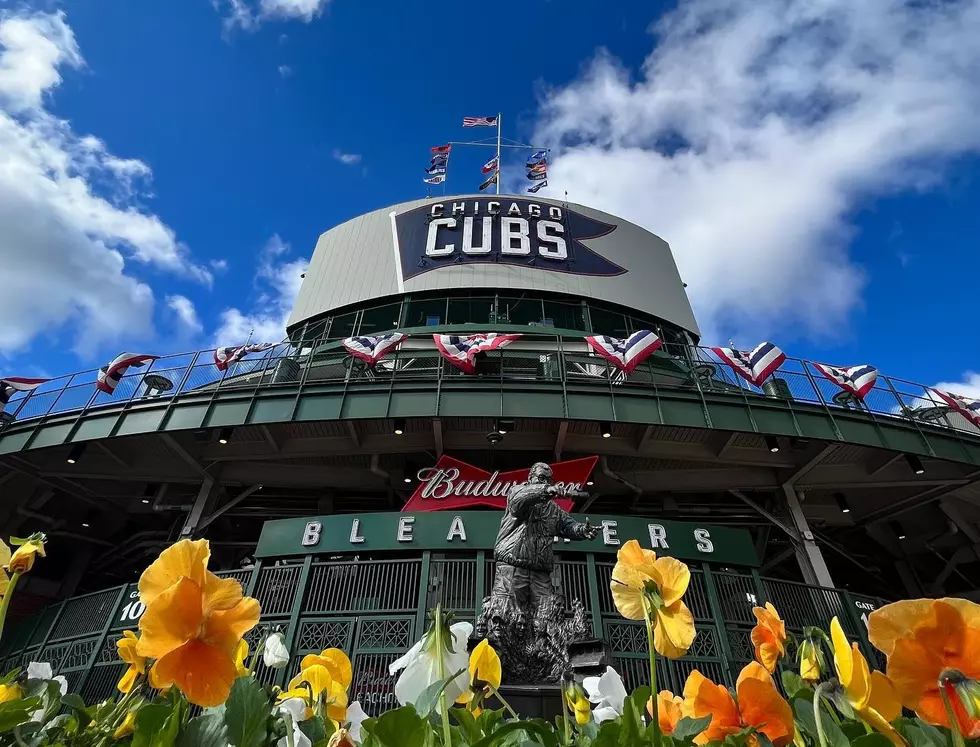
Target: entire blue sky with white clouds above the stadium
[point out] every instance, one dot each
(815, 171)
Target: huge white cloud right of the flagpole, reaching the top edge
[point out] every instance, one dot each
(754, 130)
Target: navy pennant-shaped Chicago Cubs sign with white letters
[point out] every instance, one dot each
(502, 231)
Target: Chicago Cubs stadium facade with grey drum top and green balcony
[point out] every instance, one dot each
(350, 497)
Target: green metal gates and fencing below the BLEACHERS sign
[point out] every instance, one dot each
(375, 610)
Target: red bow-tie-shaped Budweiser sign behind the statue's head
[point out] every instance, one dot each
(453, 484)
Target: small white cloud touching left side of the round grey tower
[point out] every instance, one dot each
(278, 280)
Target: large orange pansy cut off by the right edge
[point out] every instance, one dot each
(922, 638)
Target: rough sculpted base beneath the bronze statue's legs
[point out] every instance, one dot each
(533, 647)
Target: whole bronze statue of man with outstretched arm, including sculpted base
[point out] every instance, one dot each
(524, 616)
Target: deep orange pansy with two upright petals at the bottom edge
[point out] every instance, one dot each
(758, 705)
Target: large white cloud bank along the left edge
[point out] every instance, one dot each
(63, 246)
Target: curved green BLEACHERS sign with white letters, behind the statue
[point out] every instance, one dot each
(477, 530)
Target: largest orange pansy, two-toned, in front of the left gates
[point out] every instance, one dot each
(193, 623)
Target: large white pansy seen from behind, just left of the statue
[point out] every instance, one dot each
(420, 666)
